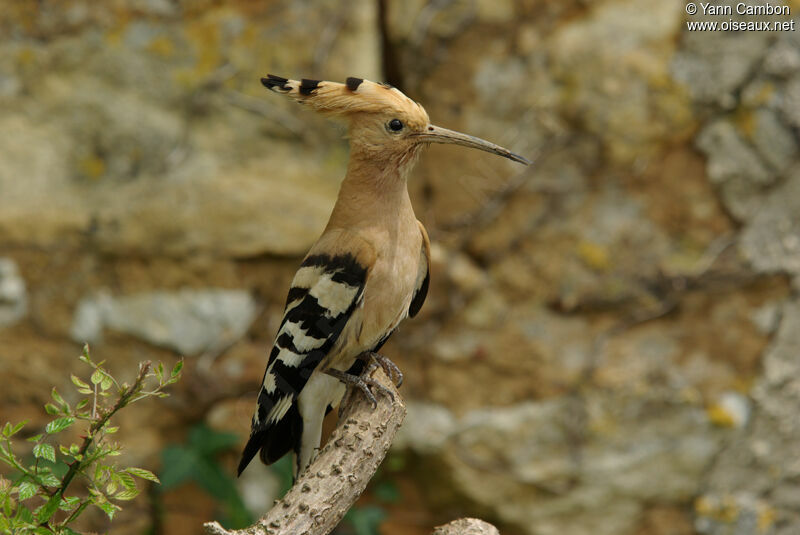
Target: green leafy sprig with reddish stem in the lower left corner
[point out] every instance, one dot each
(38, 489)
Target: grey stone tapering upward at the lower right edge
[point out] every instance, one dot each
(751, 488)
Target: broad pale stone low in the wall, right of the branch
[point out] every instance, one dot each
(579, 459)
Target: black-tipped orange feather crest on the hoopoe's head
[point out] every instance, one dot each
(356, 95)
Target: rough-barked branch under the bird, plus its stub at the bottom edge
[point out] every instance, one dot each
(323, 494)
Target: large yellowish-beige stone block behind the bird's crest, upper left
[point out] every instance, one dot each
(146, 134)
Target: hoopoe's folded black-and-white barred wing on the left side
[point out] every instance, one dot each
(324, 293)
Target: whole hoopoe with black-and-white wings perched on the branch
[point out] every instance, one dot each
(369, 270)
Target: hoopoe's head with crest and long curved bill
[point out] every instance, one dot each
(384, 124)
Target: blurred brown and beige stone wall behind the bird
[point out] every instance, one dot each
(612, 340)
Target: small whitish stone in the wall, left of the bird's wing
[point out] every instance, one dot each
(189, 321)
